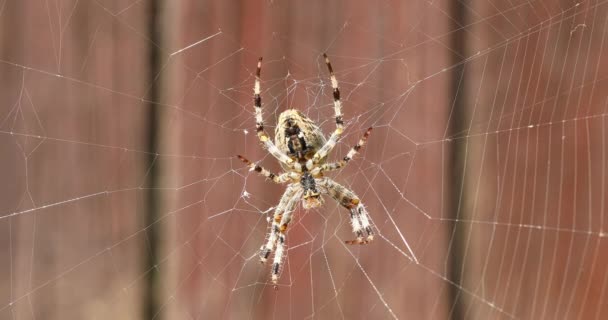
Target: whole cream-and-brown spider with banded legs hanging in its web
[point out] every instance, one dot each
(302, 150)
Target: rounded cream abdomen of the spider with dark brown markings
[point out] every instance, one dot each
(297, 135)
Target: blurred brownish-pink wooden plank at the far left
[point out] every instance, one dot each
(71, 123)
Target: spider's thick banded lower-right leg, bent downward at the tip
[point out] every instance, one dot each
(359, 217)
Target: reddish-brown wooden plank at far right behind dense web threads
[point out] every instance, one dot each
(544, 115)
